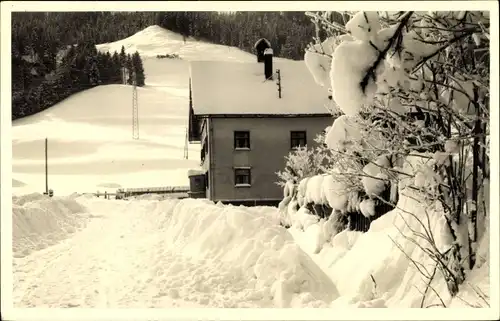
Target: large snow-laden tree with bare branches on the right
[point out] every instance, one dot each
(413, 88)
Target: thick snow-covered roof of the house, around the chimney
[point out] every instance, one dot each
(239, 88)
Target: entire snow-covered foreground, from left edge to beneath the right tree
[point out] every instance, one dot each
(153, 253)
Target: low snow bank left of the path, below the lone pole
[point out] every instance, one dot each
(39, 221)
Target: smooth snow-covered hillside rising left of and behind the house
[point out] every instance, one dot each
(90, 133)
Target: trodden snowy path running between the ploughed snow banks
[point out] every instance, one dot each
(121, 260)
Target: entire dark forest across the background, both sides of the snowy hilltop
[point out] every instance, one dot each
(54, 55)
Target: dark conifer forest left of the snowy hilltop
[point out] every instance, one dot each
(54, 56)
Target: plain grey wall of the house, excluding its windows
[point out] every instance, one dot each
(269, 144)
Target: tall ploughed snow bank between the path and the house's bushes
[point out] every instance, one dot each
(252, 242)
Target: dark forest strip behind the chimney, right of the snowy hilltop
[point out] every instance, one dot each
(289, 32)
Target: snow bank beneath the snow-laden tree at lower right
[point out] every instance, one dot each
(372, 269)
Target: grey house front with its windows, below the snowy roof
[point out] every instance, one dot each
(241, 155)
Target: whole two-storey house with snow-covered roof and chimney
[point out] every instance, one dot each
(247, 122)
